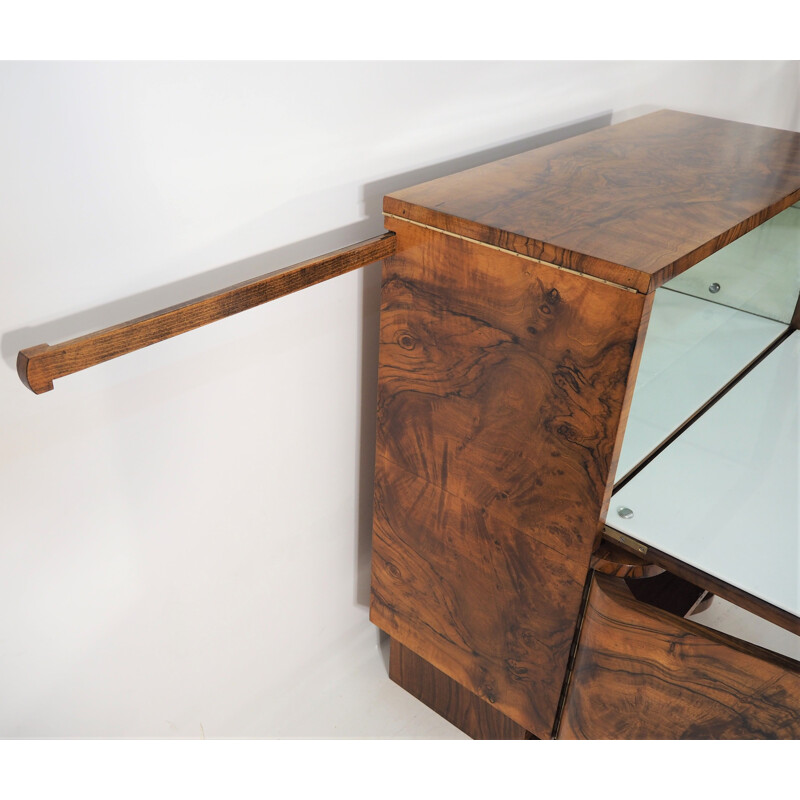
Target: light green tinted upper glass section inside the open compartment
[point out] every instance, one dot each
(758, 273)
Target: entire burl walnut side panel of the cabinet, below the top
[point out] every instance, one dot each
(502, 386)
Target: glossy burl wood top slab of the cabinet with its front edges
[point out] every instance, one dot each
(634, 203)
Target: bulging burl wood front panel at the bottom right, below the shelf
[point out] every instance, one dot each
(641, 673)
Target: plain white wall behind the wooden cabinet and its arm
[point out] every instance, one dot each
(184, 532)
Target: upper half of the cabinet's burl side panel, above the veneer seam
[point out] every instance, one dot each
(503, 381)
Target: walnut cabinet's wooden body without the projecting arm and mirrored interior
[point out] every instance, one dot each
(513, 321)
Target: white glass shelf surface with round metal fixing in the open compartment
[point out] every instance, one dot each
(724, 497)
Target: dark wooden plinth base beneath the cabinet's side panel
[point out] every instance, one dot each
(477, 718)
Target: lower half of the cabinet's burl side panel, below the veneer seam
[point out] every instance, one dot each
(485, 603)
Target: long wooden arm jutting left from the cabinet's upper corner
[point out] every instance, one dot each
(39, 366)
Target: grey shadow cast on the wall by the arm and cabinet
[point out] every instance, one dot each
(213, 280)
